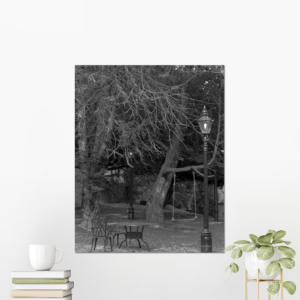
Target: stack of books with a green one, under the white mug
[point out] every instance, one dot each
(42, 285)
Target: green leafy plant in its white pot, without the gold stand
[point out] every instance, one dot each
(267, 254)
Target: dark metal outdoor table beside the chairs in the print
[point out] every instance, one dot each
(134, 231)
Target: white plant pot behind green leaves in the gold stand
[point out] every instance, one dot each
(253, 263)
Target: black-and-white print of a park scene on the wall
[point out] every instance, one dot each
(149, 158)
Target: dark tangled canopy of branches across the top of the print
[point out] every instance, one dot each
(125, 110)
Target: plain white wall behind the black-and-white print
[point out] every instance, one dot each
(259, 45)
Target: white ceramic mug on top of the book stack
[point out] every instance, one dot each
(42, 257)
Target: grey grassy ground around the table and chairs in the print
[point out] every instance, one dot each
(182, 236)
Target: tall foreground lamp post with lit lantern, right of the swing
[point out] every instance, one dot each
(205, 123)
